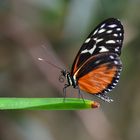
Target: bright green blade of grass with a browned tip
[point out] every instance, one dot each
(46, 104)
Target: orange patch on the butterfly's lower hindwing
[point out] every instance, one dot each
(97, 80)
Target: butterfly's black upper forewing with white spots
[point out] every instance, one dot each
(106, 37)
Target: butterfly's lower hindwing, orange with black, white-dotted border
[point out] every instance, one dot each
(99, 74)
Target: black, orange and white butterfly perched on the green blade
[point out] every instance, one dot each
(97, 66)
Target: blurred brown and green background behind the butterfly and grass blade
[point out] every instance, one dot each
(55, 30)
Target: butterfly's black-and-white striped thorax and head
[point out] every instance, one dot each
(69, 78)
